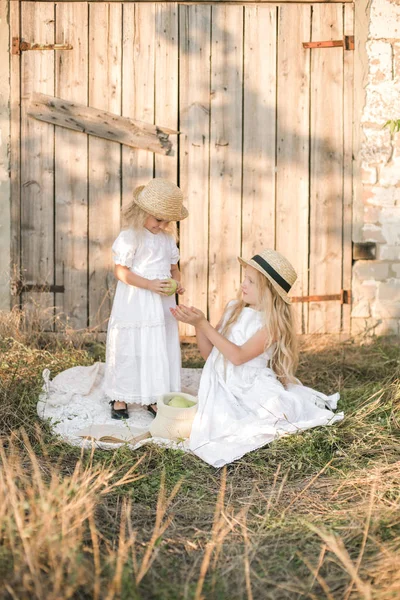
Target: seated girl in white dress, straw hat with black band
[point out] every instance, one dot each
(248, 392)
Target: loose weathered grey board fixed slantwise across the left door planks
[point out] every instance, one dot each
(103, 124)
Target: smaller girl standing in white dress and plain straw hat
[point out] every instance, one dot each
(143, 358)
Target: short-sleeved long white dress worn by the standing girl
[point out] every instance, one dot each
(143, 357)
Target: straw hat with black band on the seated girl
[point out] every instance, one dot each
(276, 268)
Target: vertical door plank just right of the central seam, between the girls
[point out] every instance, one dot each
(194, 116)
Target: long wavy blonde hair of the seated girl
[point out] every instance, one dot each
(278, 320)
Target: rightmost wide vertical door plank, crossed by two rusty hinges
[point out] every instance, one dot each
(326, 177)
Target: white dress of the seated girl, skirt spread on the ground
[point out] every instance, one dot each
(241, 408)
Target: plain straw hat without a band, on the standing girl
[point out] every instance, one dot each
(162, 199)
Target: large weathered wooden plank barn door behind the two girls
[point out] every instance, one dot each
(263, 155)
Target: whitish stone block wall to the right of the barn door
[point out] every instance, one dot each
(376, 283)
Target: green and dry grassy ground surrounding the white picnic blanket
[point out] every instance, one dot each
(314, 515)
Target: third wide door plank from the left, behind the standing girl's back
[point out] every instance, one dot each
(105, 38)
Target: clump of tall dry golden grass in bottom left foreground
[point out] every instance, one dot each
(48, 526)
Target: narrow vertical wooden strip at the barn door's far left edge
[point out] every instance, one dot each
(15, 158)
